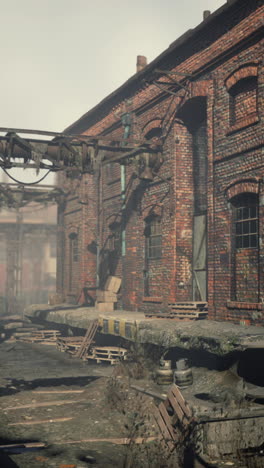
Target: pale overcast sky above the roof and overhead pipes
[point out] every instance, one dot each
(61, 57)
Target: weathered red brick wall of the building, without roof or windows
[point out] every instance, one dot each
(96, 205)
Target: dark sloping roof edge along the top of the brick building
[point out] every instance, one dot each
(136, 82)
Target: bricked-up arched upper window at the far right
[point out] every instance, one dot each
(243, 99)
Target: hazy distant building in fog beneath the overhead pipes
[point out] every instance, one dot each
(27, 250)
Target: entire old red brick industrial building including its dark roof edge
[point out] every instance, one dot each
(186, 223)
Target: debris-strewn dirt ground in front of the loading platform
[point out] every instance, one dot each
(61, 402)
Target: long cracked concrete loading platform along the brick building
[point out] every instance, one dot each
(216, 337)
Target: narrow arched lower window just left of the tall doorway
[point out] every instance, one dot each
(153, 238)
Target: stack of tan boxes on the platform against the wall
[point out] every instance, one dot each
(105, 299)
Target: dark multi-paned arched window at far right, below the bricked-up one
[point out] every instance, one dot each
(246, 221)
